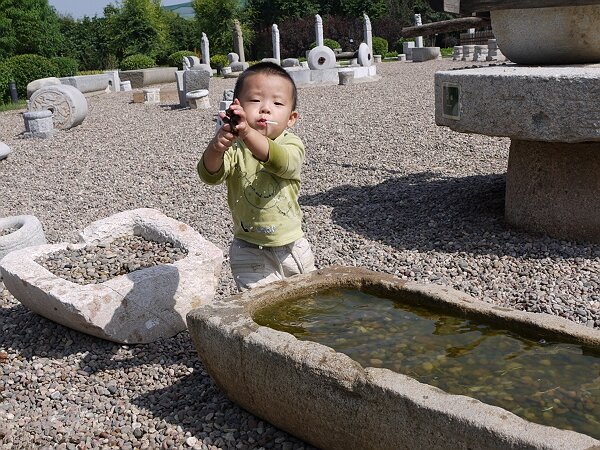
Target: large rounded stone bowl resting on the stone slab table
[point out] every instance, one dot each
(559, 35)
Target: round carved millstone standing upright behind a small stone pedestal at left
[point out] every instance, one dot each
(67, 103)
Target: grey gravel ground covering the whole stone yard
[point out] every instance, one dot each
(383, 187)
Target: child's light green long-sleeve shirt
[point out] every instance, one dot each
(263, 197)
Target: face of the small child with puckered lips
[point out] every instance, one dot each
(268, 97)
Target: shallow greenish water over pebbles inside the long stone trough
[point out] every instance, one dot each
(550, 383)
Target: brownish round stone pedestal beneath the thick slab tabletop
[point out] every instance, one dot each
(554, 188)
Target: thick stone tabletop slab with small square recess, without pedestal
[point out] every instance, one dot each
(554, 104)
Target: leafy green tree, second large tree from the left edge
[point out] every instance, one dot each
(136, 28)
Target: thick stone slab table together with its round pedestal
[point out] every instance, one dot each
(552, 116)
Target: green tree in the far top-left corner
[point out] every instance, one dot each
(28, 26)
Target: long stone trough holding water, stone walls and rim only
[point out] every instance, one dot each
(331, 401)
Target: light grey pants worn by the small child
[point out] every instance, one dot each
(253, 265)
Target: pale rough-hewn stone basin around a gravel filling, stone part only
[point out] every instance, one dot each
(139, 307)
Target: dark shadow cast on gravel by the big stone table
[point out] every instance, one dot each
(431, 212)
